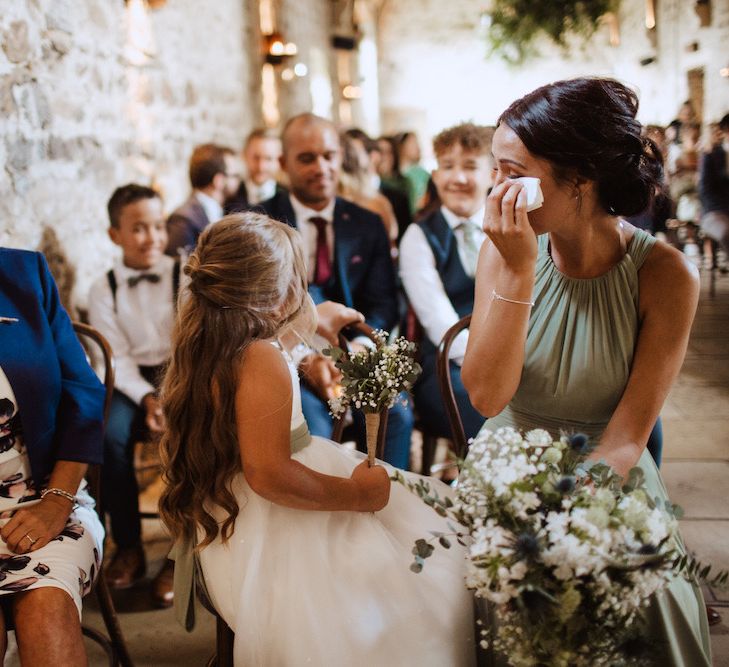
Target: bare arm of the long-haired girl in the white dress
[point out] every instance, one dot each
(263, 417)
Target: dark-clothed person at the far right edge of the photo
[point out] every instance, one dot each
(714, 189)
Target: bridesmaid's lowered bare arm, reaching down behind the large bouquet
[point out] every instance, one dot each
(669, 292)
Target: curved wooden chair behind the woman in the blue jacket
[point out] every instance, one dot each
(114, 646)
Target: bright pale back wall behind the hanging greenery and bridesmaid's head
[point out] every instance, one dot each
(434, 71)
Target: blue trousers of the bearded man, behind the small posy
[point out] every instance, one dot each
(397, 437)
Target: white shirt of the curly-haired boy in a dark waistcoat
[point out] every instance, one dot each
(423, 284)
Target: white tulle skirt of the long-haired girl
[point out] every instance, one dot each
(323, 589)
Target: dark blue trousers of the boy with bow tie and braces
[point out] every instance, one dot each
(119, 489)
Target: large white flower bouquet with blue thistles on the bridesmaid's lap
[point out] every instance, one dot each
(564, 550)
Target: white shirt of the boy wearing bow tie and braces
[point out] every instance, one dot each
(140, 328)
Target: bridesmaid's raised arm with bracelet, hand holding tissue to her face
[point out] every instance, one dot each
(494, 358)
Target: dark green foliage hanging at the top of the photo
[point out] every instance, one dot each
(516, 24)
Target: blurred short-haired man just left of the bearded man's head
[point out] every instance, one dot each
(261, 154)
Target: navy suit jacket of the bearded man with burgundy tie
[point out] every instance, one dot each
(364, 277)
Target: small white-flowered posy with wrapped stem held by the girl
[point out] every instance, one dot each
(372, 379)
